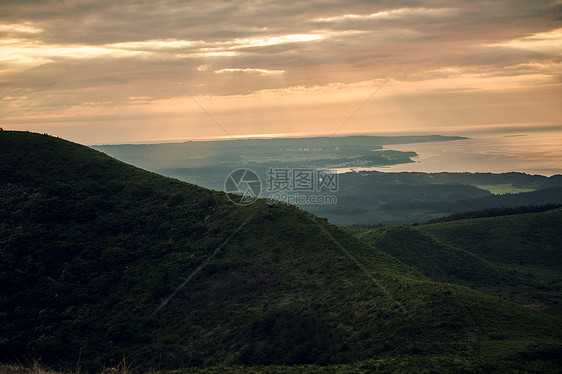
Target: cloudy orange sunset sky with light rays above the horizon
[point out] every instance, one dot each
(99, 72)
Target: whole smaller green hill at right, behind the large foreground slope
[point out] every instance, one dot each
(517, 257)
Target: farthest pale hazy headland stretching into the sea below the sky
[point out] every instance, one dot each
(344, 151)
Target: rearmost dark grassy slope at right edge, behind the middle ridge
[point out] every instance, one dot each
(527, 245)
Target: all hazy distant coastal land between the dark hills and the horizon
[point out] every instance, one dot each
(363, 197)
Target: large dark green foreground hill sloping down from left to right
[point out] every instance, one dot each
(90, 248)
